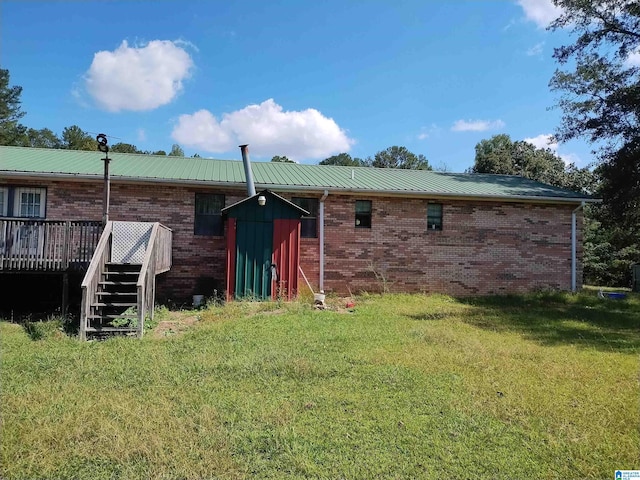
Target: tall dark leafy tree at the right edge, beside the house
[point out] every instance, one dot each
(600, 101)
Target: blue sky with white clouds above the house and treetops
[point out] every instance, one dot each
(295, 78)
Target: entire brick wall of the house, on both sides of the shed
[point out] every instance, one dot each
(484, 247)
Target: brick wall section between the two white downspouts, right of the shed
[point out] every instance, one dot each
(483, 248)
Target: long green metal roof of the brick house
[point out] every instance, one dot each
(25, 162)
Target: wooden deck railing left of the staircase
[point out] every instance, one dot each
(47, 245)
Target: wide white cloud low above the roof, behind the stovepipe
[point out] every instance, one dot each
(267, 128)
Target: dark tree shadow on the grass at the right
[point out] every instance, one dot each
(556, 319)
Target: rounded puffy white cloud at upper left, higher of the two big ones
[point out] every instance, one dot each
(138, 78)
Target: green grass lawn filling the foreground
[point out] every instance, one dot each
(402, 386)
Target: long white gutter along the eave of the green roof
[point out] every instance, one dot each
(307, 188)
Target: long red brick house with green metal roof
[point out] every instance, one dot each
(367, 228)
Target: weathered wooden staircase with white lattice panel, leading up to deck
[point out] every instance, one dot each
(118, 290)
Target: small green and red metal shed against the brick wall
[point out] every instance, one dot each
(263, 247)
